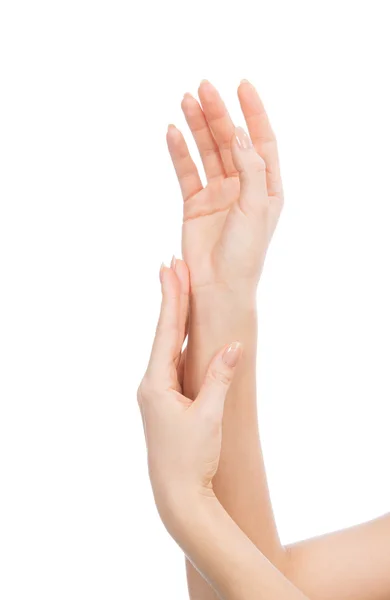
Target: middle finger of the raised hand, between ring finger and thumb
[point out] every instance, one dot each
(219, 122)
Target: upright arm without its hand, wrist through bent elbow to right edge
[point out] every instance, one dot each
(322, 568)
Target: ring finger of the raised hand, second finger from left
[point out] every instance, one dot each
(207, 146)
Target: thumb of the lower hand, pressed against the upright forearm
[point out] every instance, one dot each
(212, 395)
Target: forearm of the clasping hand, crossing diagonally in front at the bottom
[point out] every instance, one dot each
(232, 565)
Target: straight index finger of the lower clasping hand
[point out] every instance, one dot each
(167, 343)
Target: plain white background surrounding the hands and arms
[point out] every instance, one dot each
(89, 207)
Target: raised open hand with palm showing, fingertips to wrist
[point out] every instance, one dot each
(228, 224)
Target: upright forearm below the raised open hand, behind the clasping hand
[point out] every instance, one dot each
(218, 317)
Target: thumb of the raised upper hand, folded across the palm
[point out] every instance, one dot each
(252, 173)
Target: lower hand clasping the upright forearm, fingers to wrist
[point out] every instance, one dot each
(183, 437)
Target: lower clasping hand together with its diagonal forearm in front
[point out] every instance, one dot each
(184, 439)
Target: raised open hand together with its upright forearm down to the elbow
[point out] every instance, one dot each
(225, 249)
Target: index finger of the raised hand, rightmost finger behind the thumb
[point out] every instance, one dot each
(262, 135)
